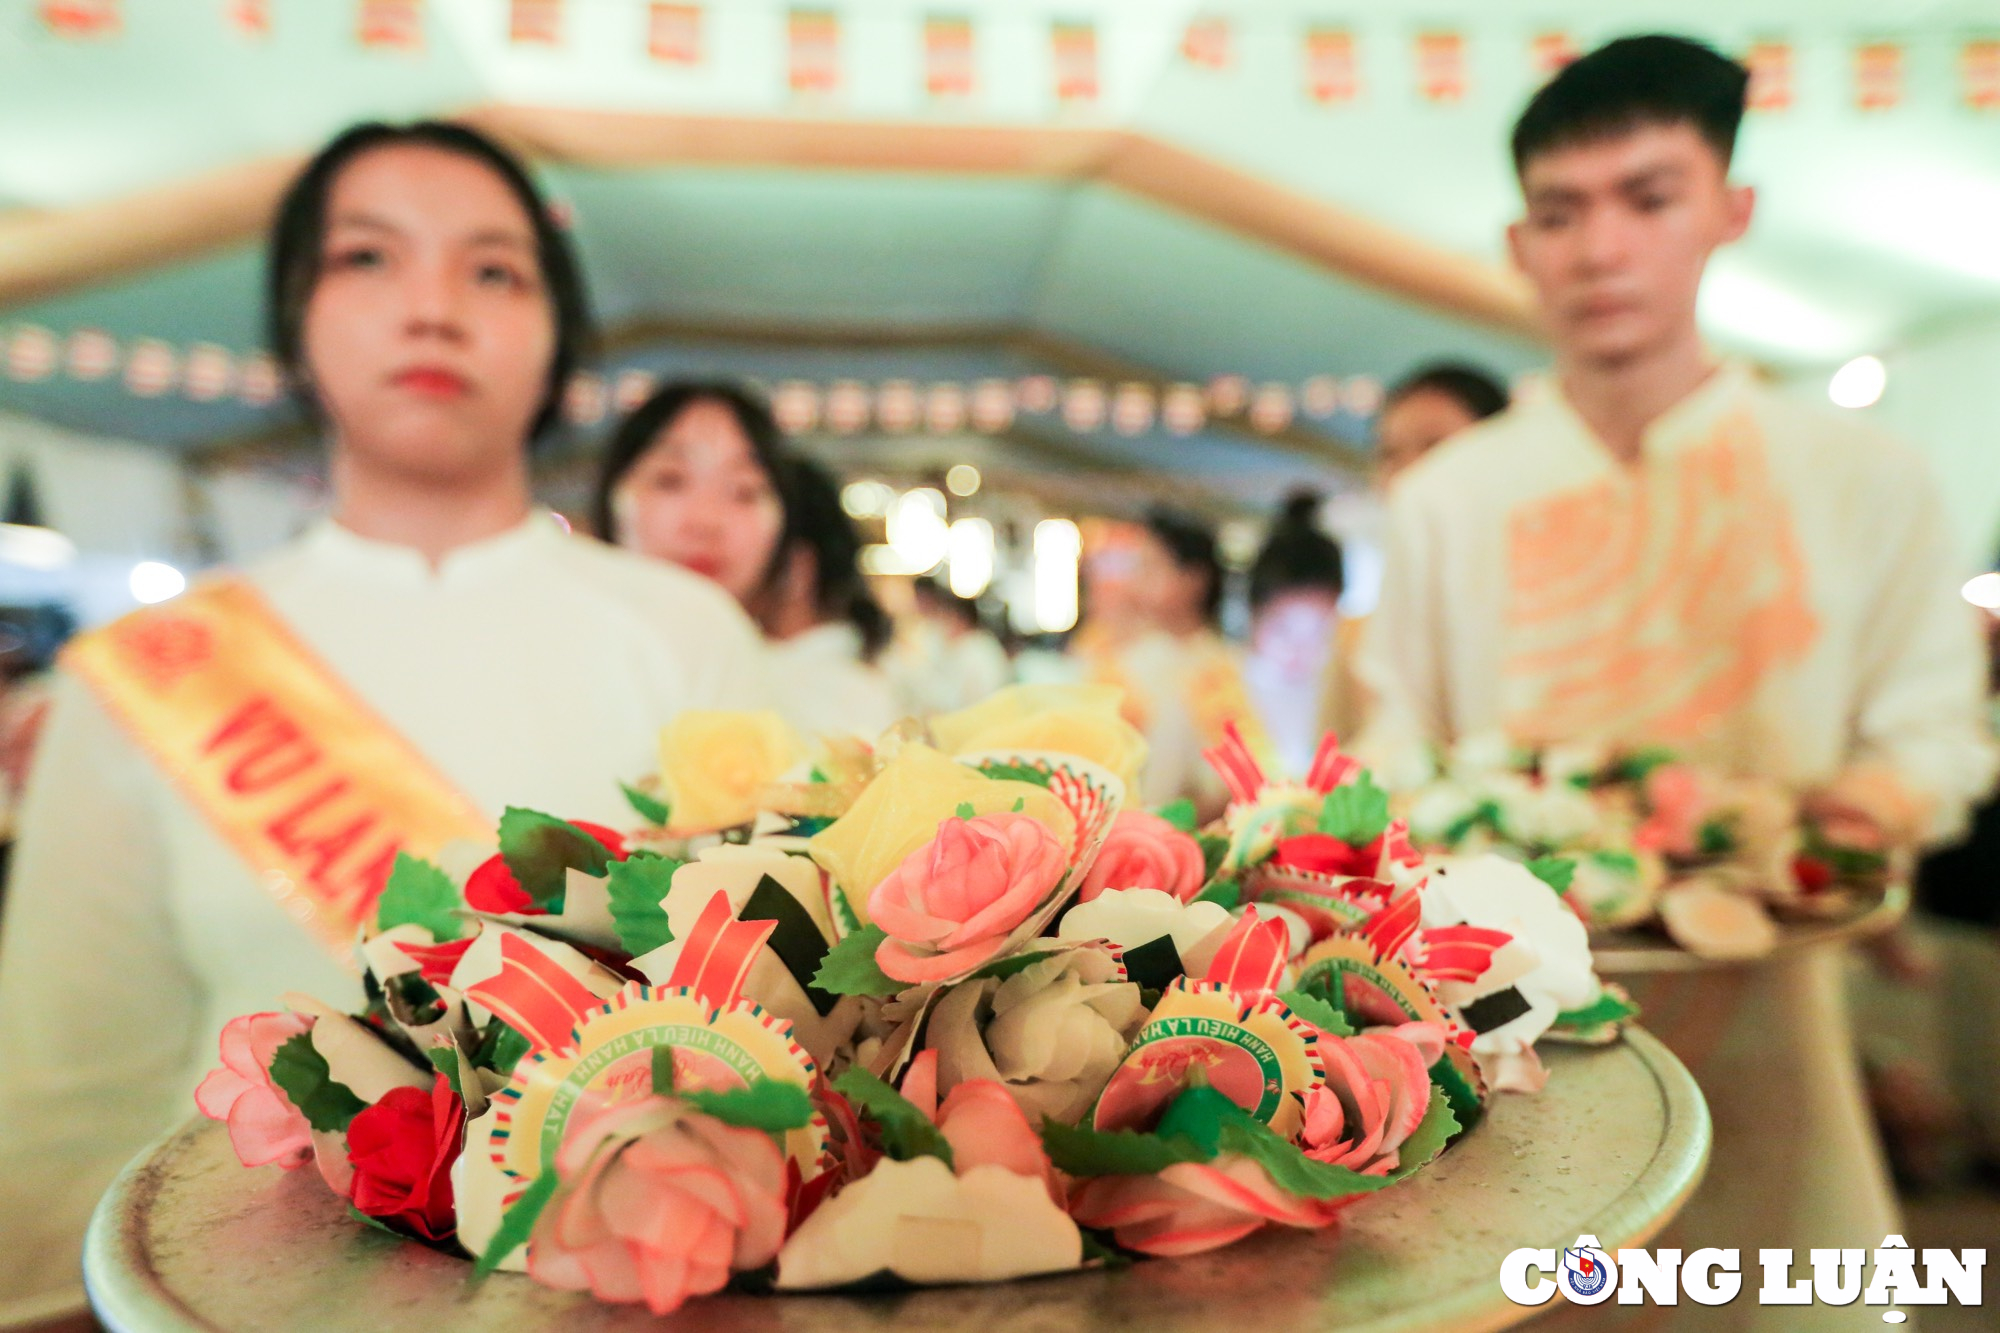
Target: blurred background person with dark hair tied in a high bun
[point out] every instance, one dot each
(1301, 670)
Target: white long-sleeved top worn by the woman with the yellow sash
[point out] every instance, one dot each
(531, 670)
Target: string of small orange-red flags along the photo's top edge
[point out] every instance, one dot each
(817, 51)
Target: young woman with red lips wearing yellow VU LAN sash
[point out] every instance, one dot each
(227, 778)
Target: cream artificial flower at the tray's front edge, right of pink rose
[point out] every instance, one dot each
(927, 1224)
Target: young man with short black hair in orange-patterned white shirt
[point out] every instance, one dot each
(1655, 547)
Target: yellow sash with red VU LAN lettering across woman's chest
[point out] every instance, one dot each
(287, 764)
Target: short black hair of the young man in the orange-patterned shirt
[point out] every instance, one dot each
(1633, 83)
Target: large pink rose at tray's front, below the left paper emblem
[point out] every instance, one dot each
(659, 1204)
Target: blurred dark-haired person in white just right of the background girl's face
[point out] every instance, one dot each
(827, 629)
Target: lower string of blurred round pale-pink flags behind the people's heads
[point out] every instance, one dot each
(217, 375)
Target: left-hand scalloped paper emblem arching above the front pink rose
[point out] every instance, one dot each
(611, 1060)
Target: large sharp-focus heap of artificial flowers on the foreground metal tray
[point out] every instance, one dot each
(931, 1010)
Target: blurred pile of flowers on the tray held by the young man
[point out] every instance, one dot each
(1713, 860)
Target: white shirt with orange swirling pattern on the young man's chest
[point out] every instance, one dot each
(1769, 587)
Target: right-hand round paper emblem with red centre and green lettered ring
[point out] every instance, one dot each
(1251, 1052)
